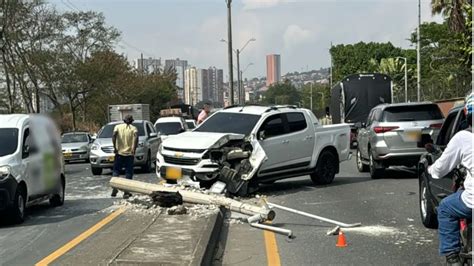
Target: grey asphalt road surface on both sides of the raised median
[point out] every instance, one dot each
(392, 233)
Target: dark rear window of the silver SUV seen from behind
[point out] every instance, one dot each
(412, 113)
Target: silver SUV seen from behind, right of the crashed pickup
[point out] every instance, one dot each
(391, 135)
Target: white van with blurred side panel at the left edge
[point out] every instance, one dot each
(31, 164)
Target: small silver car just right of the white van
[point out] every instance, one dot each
(76, 146)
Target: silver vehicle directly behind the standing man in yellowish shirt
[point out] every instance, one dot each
(102, 150)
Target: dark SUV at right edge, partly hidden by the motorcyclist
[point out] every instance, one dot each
(432, 191)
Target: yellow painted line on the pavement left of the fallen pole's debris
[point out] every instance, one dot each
(71, 244)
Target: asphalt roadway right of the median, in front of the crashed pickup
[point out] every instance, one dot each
(391, 232)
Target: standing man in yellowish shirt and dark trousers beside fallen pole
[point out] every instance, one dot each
(125, 141)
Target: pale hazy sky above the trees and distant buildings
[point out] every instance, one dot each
(300, 30)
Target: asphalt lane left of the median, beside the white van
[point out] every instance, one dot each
(46, 229)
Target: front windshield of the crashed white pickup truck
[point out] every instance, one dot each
(229, 123)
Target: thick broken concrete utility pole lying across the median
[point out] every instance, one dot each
(193, 197)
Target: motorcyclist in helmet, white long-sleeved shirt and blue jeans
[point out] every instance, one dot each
(459, 204)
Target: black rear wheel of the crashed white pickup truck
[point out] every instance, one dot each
(326, 168)
